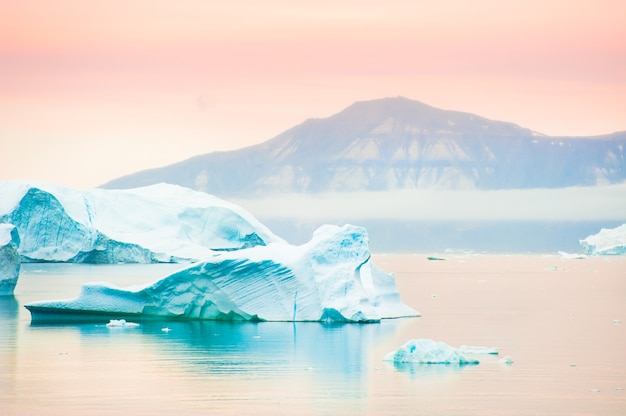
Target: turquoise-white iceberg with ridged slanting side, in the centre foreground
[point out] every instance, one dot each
(331, 278)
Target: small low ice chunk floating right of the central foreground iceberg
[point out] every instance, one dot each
(428, 351)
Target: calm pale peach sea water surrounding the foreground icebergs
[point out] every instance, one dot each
(560, 321)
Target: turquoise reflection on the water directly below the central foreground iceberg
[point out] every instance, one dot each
(263, 348)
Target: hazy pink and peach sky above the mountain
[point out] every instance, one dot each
(92, 90)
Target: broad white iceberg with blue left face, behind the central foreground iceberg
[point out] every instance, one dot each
(159, 223)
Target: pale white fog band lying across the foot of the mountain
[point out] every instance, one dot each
(565, 204)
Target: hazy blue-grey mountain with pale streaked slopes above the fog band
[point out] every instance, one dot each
(397, 143)
